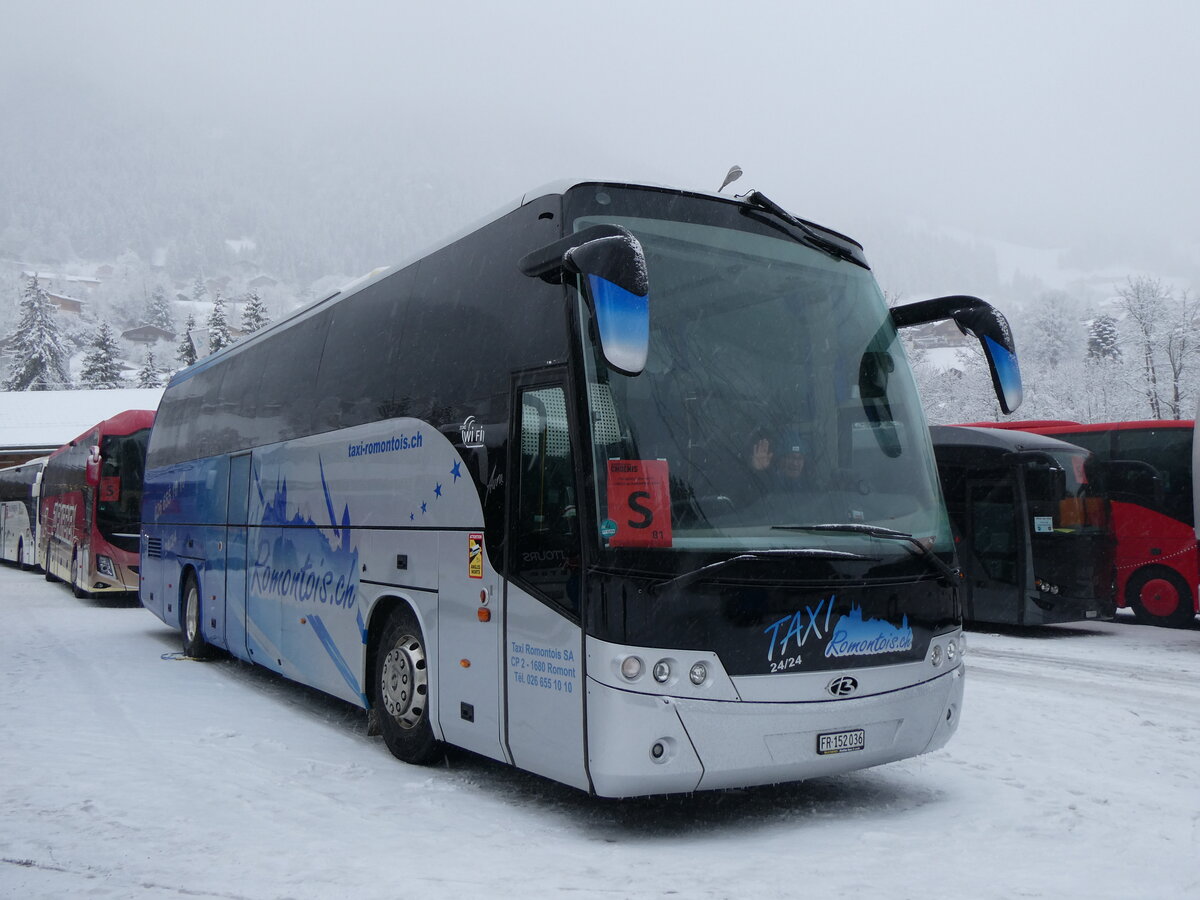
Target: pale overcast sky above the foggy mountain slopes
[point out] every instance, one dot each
(1047, 123)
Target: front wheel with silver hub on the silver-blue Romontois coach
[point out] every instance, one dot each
(401, 691)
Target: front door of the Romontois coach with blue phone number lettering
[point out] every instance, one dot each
(543, 647)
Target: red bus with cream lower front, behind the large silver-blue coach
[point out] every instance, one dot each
(92, 507)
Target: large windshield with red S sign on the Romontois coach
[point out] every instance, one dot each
(776, 395)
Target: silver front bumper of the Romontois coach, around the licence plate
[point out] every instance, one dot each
(641, 745)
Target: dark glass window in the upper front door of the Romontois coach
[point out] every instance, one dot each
(548, 542)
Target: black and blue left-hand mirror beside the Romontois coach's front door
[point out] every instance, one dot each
(616, 286)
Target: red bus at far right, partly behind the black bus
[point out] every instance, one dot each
(1150, 484)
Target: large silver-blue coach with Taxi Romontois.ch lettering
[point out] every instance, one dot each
(519, 496)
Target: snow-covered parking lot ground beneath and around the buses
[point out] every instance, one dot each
(128, 772)
